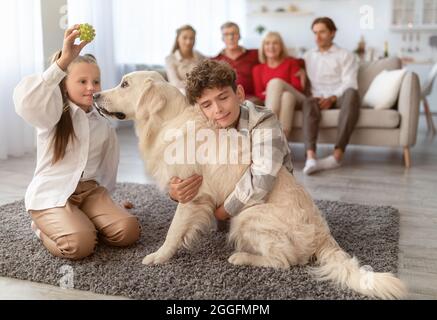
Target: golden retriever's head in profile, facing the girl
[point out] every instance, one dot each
(139, 96)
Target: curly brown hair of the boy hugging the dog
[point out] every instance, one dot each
(209, 74)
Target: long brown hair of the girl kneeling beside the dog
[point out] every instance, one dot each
(64, 131)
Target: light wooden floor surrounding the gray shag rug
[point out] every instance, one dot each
(370, 176)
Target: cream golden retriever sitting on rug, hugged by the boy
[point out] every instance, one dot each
(286, 230)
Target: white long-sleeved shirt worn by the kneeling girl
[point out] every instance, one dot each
(93, 154)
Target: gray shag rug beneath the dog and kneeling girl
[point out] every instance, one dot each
(369, 232)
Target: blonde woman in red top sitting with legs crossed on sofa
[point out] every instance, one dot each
(279, 80)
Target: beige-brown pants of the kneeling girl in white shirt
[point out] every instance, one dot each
(71, 231)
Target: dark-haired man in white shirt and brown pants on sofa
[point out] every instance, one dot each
(333, 73)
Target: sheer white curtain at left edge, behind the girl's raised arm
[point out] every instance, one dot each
(21, 55)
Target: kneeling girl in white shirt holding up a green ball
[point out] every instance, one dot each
(77, 157)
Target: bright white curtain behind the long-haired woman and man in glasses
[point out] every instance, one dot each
(146, 29)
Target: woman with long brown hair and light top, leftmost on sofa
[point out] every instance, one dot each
(183, 57)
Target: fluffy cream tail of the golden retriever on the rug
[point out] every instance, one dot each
(338, 266)
